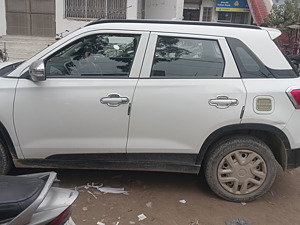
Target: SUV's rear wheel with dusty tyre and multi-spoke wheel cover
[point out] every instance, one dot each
(240, 168)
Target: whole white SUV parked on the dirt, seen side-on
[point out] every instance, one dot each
(157, 95)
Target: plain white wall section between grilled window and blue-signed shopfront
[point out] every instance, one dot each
(164, 9)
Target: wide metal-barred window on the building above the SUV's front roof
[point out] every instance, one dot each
(95, 9)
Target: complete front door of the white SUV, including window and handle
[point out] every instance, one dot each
(81, 109)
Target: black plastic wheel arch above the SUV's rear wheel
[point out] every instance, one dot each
(276, 139)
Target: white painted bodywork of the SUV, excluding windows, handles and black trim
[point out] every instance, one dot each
(63, 116)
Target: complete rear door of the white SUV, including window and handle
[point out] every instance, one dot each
(189, 88)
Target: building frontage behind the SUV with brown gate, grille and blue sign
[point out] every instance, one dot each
(51, 17)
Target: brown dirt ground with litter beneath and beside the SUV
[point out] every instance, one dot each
(157, 196)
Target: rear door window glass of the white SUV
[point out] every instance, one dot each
(187, 58)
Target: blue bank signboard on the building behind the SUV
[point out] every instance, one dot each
(232, 6)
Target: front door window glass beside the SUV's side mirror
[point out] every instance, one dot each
(105, 55)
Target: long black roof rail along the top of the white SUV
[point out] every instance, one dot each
(100, 21)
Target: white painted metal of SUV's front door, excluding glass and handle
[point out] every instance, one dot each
(66, 116)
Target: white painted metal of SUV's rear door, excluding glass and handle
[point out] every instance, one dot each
(171, 115)
